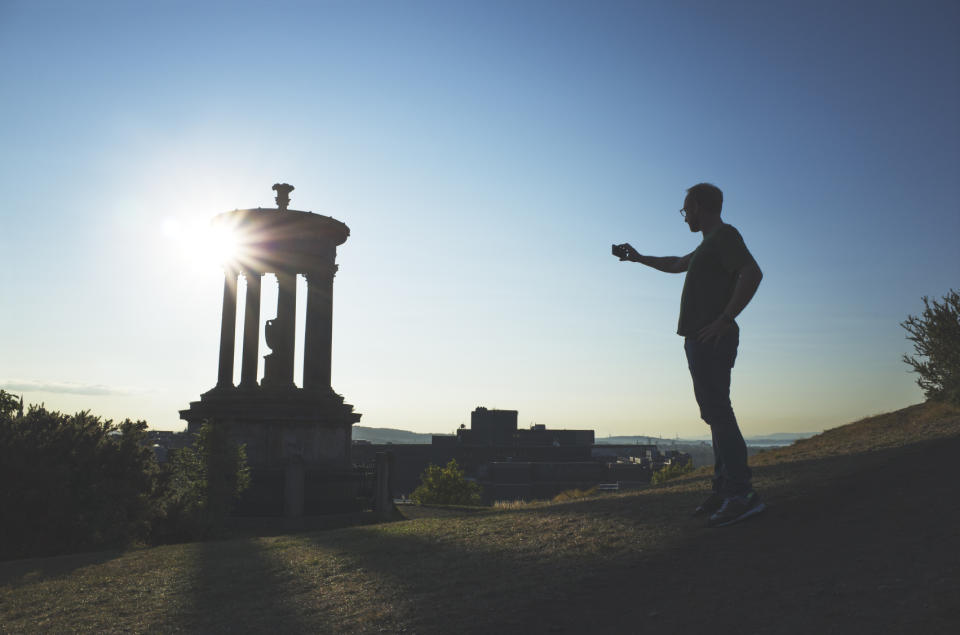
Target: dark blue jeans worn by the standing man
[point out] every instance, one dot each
(710, 365)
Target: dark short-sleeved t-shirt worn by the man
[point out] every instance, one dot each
(711, 277)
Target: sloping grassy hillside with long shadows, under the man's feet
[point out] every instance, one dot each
(862, 536)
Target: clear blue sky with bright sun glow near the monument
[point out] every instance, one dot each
(485, 155)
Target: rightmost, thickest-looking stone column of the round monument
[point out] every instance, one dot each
(318, 331)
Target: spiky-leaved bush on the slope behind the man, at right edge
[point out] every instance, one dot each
(935, 334)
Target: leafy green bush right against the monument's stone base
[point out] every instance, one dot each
(200, 486)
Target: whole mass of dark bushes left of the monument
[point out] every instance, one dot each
(78, 483)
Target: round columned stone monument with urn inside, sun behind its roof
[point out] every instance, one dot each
(297, 438)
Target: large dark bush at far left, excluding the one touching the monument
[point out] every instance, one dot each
(72, 482)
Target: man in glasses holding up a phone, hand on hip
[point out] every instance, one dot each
(722, 277)
